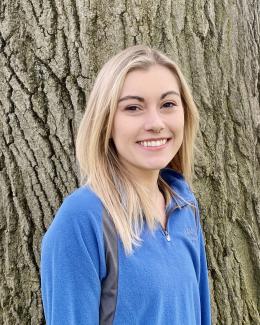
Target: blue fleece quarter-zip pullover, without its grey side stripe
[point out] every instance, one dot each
(163, 282)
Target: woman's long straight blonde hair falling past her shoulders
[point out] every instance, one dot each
(127, 202)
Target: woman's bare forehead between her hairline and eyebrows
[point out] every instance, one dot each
(156, 79)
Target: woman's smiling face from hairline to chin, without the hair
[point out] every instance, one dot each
(149, 121)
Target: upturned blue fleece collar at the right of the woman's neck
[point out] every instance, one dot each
(178, 184)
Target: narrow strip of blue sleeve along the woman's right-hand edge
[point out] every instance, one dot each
(204, 283)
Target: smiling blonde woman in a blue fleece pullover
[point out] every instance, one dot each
(127, 246)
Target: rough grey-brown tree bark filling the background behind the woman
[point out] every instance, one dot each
(50, 52)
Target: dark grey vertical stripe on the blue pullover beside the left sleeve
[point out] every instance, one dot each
(109, 285)
